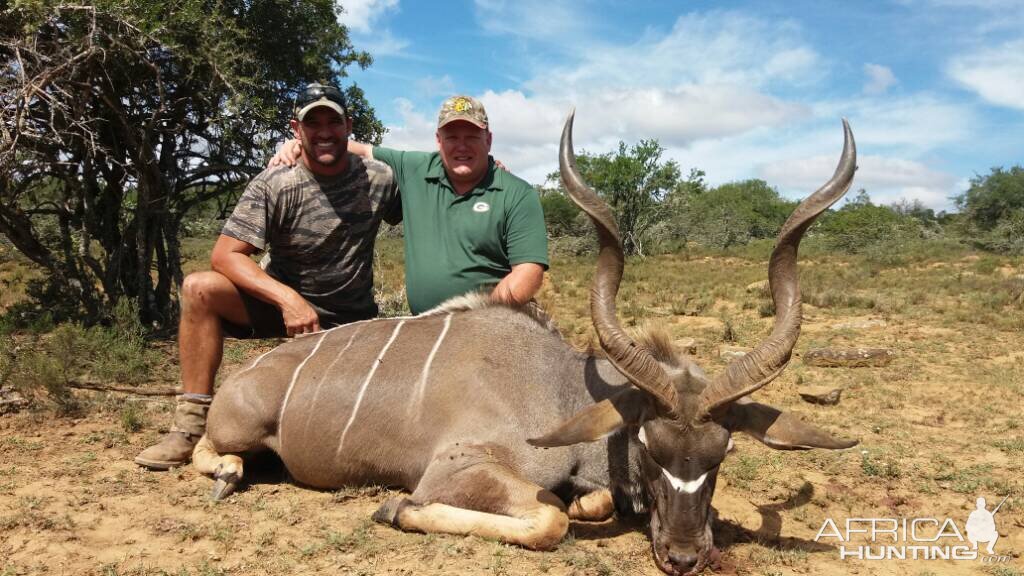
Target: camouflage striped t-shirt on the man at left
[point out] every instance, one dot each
(320, 231)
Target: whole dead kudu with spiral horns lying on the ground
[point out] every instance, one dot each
(443, 405)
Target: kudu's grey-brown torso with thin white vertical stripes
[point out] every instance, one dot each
(374, 402)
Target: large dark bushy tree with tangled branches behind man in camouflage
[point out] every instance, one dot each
(118, 117)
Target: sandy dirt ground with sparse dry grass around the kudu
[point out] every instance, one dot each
(940, 427)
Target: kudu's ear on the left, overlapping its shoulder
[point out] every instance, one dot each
(600, 421)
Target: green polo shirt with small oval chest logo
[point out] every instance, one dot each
(458, 244)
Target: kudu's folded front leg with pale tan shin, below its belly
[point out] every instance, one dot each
(466, 491)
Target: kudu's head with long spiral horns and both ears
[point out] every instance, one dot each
(682, 419)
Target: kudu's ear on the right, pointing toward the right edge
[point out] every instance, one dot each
(779, 430)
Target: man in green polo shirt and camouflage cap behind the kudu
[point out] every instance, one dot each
(468, 225)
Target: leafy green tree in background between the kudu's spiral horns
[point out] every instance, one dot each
(634, 182)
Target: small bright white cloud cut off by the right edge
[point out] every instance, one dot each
(996, 74)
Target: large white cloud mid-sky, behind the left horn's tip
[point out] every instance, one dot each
(706, 78)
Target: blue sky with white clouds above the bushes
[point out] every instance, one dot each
(934, 90)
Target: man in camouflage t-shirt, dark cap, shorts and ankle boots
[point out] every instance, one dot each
(318, 222)
